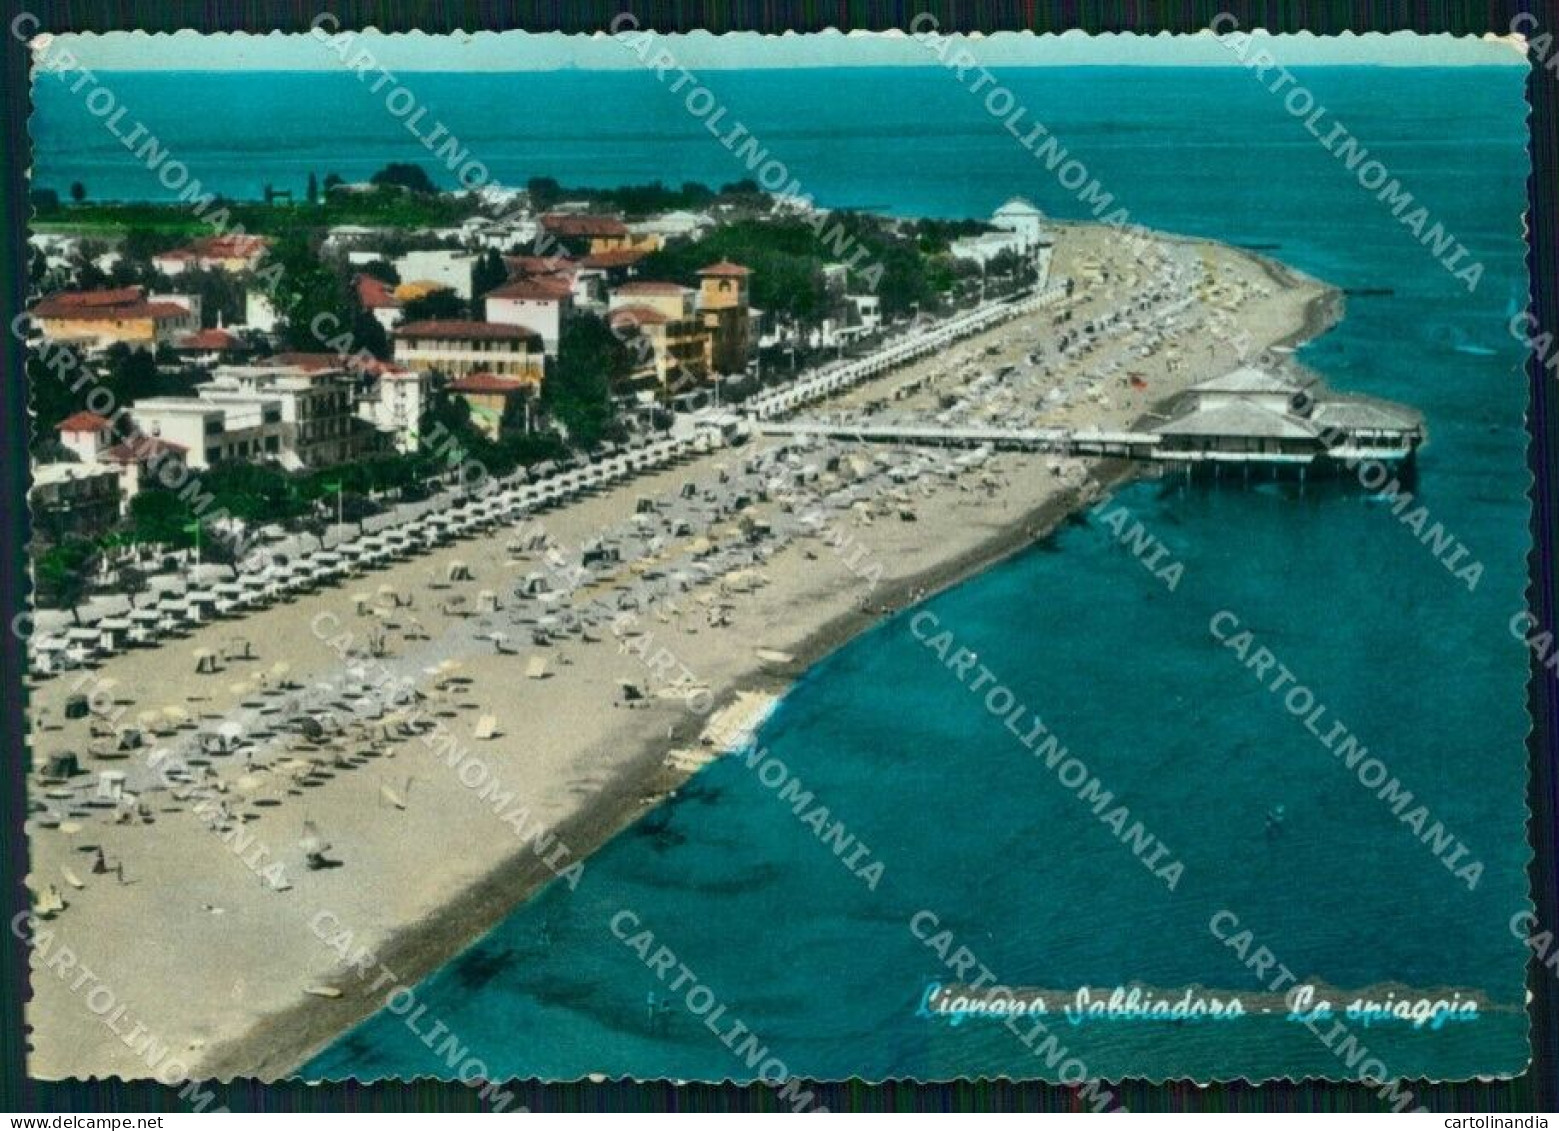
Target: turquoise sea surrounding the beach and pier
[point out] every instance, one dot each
(967, 823)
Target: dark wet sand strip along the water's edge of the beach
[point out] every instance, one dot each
(294, 1038)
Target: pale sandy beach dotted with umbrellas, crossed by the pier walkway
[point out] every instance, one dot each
(211, 962)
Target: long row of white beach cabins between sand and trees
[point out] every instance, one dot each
(177, 614)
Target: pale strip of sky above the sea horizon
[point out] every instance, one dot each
(701, 51)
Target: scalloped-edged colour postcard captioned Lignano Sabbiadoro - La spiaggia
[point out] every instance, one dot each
(888, 556)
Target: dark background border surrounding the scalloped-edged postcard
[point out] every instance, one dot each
(1536, 1091)
